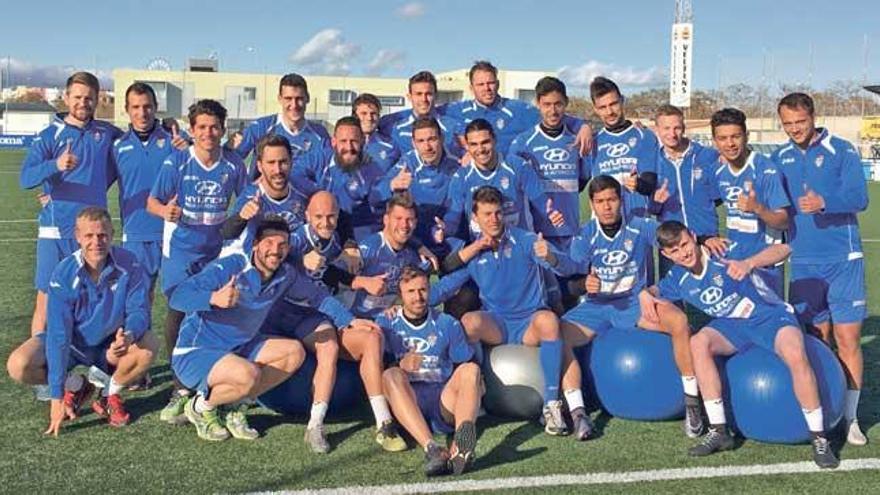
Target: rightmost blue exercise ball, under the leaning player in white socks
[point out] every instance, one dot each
(760, 397)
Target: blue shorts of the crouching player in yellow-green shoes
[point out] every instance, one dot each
(193, 365)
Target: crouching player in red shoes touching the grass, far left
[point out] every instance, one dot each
(98, 316)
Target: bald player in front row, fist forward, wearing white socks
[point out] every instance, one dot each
(316, 246)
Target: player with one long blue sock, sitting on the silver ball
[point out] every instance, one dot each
(506, 263)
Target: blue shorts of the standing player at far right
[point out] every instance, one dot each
(830, 291)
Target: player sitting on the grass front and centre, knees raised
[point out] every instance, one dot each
(433, 382)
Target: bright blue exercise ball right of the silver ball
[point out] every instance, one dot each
(634, 375)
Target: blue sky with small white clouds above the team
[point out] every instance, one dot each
(738, 41)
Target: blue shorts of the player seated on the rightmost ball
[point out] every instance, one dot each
(758, 330)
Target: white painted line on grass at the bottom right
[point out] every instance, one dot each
(594, 478)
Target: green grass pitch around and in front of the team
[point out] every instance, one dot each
(150, 457)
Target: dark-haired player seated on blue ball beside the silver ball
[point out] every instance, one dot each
(616, 250)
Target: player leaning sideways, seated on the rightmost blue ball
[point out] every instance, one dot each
(746, 312)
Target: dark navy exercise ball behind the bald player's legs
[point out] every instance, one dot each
(294, 395)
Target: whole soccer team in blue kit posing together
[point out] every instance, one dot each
(283, 241)
